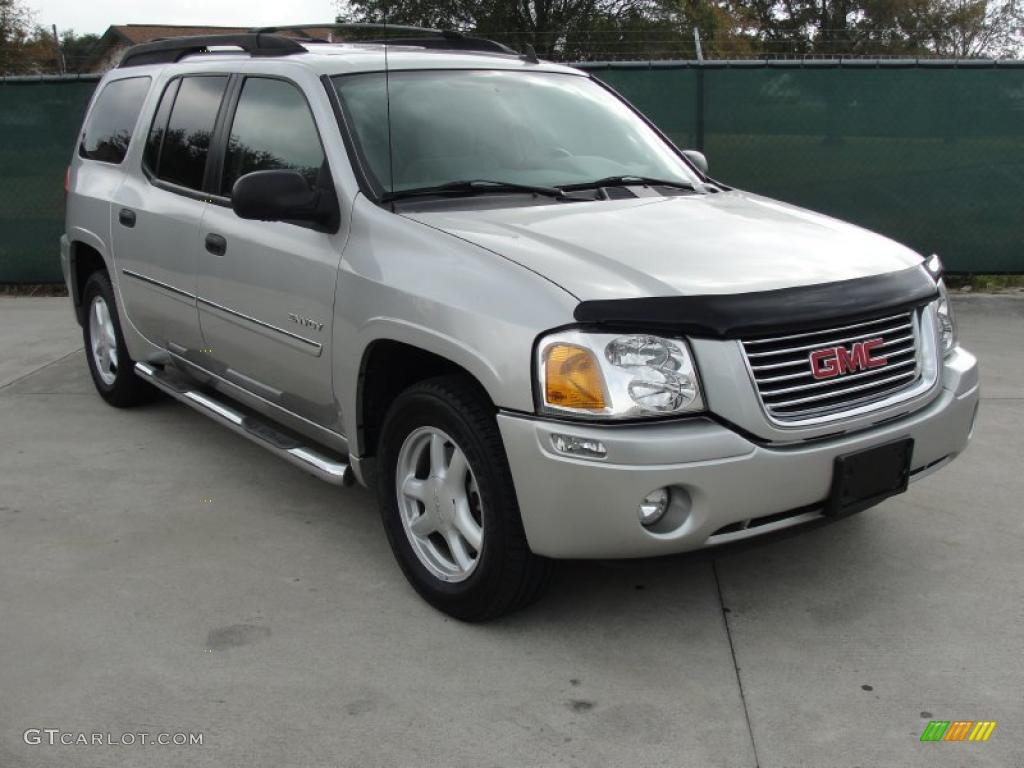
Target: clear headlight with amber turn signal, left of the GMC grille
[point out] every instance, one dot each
(611, 376)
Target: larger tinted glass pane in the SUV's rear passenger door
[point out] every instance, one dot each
(187, 141)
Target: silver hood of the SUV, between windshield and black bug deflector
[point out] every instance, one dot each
(689, 245)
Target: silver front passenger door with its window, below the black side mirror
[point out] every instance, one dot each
(267, 289)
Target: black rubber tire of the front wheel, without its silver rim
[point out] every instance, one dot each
(508, 576)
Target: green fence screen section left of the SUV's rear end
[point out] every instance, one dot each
(38, 124)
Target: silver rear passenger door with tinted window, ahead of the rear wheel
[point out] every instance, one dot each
(157, 214)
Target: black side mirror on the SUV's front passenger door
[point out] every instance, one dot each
(285, 196)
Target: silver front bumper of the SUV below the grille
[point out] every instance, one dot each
(578, 508)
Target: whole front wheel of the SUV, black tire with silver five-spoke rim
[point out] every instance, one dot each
(449, 505)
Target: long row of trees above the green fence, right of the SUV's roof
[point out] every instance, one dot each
(661, 29)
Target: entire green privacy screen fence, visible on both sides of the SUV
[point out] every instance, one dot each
(931, 154)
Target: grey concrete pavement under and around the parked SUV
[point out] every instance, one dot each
(161, 575)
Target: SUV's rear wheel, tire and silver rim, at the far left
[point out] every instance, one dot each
(110, 365)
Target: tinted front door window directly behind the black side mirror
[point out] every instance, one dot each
(273, 130)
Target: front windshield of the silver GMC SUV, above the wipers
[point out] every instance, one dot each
(540, 130)
